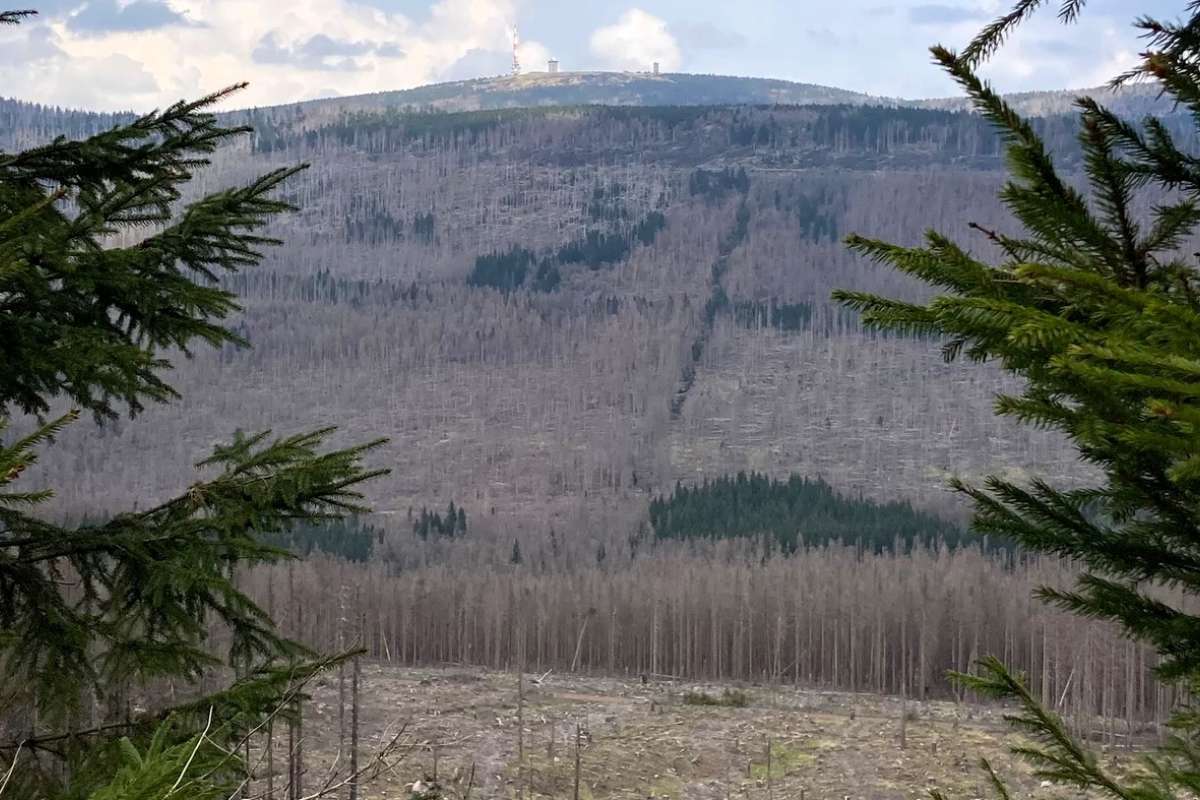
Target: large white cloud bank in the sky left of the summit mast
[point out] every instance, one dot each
(303, 40)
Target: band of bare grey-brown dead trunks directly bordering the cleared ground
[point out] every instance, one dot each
(829, 618)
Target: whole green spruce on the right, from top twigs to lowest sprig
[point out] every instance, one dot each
(1099, 311)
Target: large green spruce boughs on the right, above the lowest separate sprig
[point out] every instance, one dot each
(1100, 318)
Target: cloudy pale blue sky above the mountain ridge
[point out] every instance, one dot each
(143, 55)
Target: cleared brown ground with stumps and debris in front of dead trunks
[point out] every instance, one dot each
(646, 742)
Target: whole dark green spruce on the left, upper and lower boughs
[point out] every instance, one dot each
(89, 610)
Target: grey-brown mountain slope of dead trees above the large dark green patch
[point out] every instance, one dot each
(557, 314)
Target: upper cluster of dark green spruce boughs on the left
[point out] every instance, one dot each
(70, 304)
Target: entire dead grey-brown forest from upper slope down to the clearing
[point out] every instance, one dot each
(559, 412)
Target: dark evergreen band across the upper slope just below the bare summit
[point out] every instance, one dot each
(800, 135)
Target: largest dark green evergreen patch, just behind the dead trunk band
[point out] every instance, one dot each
(791, 515)
